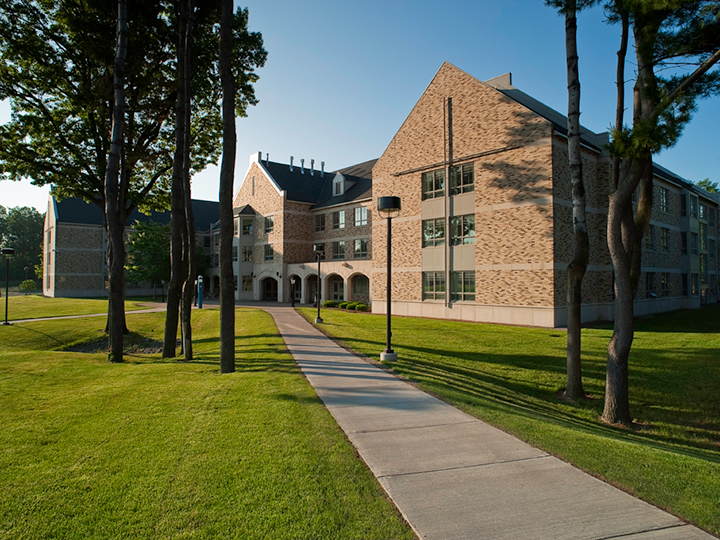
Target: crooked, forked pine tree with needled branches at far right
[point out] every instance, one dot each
(664, 34)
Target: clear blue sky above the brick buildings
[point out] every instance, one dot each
(341, 77)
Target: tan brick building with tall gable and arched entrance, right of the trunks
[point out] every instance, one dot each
(485, 230)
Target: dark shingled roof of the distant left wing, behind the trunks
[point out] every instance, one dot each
(82, 213)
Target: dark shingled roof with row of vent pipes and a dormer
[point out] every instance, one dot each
(316, 188)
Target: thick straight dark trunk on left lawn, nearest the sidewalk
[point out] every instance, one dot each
(227, 172)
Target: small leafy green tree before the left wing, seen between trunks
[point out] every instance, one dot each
(147, 249)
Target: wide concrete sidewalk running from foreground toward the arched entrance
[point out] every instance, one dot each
(451, 475)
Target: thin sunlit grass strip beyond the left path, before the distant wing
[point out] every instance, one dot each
(35, 306)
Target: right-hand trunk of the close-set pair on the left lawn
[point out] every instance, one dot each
(189, 285)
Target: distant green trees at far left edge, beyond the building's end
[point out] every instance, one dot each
(22, 229)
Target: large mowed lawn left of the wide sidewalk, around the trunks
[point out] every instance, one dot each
(152, 448)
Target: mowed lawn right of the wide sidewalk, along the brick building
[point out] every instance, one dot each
(511, 377)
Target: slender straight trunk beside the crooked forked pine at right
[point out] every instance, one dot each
(577, 267)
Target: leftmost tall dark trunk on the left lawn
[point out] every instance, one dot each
(113, 201)
